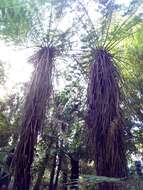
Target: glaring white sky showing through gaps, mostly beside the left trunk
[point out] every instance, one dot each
(17, 67)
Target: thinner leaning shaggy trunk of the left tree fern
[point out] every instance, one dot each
(33, 117)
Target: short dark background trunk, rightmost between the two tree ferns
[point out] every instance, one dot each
(74, 174)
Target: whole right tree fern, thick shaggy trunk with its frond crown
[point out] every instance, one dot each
(104, 117)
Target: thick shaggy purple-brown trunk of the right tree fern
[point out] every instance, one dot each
(104, 120)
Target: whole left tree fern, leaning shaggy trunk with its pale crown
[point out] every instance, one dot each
(38, 98)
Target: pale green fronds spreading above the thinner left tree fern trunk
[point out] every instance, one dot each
(29, 22)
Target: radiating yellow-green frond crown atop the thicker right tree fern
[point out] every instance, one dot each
(112, 27)
